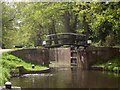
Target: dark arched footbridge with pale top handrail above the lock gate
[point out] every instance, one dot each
(65, 39)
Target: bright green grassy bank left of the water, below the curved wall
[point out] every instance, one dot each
(10, 62)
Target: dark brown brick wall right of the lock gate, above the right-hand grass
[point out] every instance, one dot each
(90, 56)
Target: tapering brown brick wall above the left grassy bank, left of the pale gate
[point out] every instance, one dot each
(40, 56)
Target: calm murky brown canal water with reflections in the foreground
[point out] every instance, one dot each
(68, 78)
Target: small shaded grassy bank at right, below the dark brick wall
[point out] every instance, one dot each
(112, 65)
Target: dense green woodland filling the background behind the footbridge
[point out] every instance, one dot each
(27, 23)
